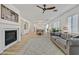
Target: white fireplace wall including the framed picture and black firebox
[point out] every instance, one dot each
(10, 32)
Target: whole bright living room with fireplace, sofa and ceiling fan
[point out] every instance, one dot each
(23, 21)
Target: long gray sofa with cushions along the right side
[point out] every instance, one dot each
(69, 44)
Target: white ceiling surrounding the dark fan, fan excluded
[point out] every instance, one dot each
(34, 14)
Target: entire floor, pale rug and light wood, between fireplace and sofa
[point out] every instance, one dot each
(36, 45)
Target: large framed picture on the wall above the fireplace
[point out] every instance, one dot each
(8, 14)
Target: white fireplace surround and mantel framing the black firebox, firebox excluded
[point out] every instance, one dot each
(8, 27)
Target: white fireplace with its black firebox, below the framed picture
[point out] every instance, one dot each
(5, 30)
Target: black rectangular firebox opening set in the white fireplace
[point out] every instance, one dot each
(10, 36)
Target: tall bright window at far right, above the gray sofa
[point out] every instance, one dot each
(73, 23)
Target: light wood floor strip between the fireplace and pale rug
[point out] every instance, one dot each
(16, 48)
